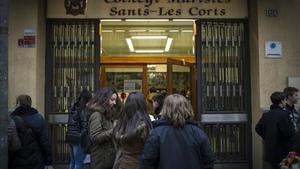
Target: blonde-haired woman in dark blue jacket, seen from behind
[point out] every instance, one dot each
(176, 142)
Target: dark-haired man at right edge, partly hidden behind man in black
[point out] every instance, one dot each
(292, 99)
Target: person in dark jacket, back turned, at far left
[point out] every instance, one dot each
(39, 156)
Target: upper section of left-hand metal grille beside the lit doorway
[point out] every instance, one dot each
(72, 48)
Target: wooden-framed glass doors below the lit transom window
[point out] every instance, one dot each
(176, 76)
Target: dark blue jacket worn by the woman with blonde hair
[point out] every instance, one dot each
(168, 147)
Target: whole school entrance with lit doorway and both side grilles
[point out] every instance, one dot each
(206, 61)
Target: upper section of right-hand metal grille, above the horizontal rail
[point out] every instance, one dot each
(222, 53)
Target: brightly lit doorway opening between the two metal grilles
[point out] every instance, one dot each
(151, 54)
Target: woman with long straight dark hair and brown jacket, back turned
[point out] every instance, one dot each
(131, 132)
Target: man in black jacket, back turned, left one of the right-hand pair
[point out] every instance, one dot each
(276, 129)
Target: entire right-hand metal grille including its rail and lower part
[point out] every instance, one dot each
(224, 74)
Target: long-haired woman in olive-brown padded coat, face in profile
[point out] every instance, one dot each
(100, 124)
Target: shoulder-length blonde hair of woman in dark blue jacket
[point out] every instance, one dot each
(177, 109)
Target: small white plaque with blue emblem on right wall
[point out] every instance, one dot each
(273, 49)
